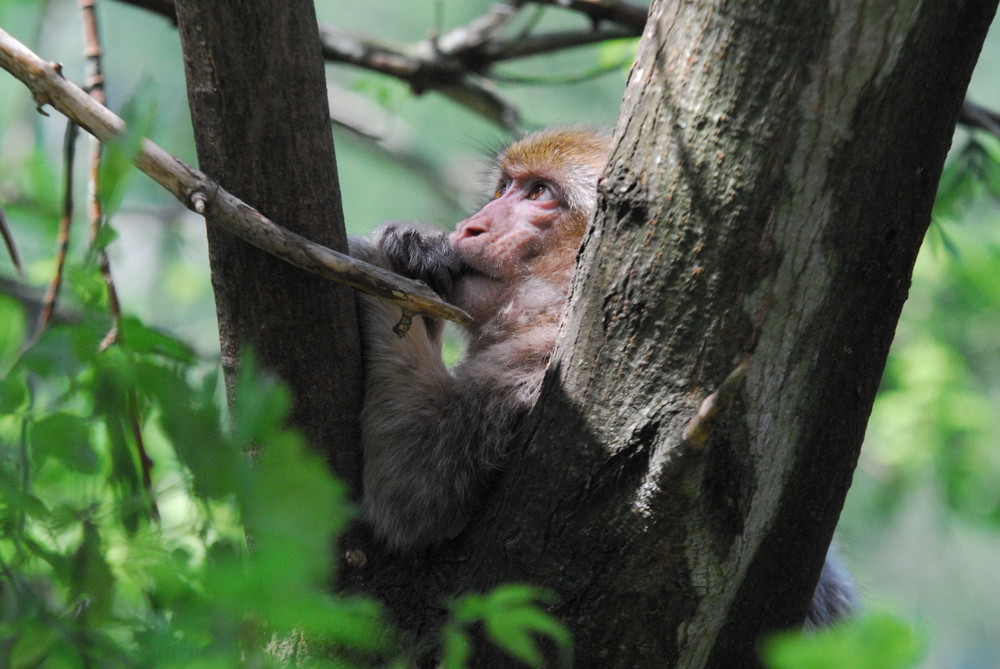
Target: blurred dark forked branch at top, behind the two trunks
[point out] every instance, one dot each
(457, 64)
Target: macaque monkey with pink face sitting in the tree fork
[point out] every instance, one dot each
(433, 438)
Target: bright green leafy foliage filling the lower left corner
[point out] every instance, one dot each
(89, 578)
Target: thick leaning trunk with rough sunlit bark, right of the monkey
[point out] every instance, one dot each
(776, 167)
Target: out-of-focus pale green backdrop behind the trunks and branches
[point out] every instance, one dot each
(921, 529)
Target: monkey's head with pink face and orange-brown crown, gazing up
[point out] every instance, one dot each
(545, 190)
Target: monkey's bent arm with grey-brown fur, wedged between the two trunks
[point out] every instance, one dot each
(431, 439)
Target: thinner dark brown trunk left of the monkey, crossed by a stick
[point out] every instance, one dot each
(258, 101)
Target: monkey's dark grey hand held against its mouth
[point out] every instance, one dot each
(420, 254)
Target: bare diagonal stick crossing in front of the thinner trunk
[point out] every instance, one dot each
(201, 194)
